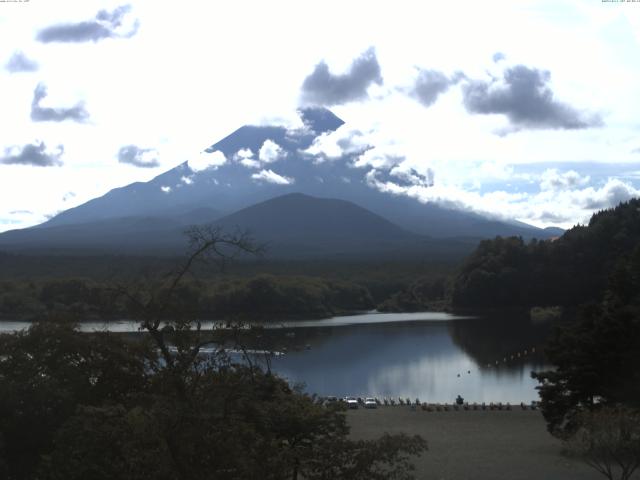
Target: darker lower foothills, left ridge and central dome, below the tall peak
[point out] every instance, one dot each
(291, 226)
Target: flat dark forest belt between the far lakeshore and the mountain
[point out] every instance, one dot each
(84, 286)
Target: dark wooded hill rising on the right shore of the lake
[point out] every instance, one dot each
(568, 271)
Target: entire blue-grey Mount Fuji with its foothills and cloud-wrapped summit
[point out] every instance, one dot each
(263, 178)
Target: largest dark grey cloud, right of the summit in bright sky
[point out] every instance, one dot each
(525, 98)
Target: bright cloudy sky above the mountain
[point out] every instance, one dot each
(524, 110)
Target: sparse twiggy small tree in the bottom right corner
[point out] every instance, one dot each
(608, 440)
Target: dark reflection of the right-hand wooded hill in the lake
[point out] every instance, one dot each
(495, 338)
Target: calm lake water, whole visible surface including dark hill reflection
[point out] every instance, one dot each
(432, 356)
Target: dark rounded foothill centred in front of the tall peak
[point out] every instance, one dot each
(300, 226)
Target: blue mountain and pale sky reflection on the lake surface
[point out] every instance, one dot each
(418, 359)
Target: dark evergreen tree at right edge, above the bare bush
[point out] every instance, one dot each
(597, 357)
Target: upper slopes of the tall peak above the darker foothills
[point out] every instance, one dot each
(248, 177)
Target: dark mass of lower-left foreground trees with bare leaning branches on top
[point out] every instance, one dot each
(78, 406)
